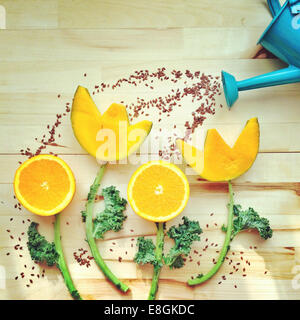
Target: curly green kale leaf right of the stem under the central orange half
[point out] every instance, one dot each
(183, 235)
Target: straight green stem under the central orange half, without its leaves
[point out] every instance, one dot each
(159, 255)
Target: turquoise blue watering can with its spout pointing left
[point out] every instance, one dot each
(282, 38)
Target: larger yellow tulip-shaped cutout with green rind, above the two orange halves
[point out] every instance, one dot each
(107, 137)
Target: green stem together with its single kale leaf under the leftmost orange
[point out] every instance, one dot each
(52, 254)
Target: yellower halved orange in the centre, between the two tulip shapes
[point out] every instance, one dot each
(158, 191)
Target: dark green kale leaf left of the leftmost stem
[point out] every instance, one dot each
(39, 248)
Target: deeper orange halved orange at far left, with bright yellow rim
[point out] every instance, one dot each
(44, 185)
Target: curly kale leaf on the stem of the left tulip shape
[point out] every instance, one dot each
(112, 217)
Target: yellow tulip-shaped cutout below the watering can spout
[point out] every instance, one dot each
(220, 162)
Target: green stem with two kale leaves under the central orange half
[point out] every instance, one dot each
(183, 235)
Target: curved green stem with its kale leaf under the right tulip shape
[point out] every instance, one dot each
(244, 220)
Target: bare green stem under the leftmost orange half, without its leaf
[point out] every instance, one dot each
(61, 264)
